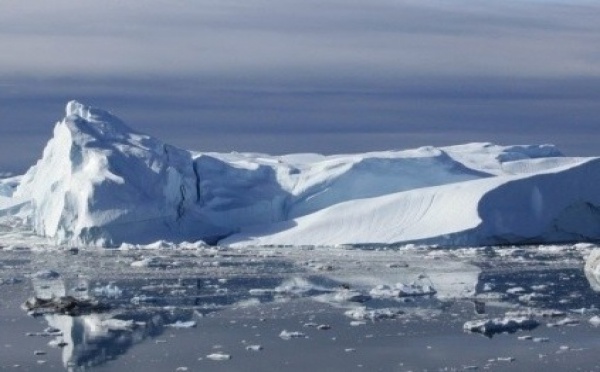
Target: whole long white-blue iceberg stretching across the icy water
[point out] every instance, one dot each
(101, 183)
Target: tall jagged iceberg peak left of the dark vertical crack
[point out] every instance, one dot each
(98, 181)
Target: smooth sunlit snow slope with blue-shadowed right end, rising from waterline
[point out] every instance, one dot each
(558, 204)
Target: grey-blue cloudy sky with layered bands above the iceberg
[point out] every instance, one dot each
(286, 76)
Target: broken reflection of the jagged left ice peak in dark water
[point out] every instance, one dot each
(93, 339)
